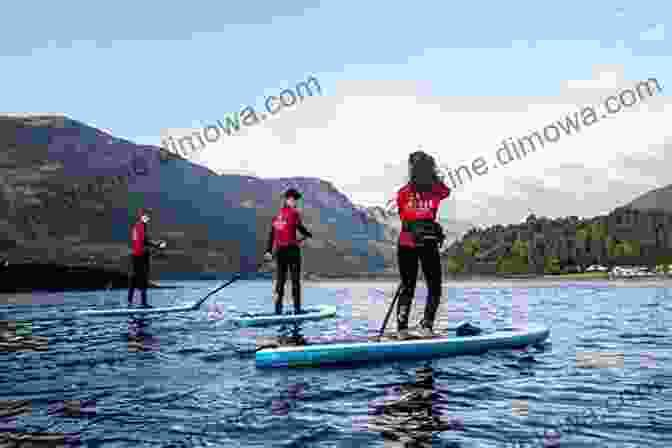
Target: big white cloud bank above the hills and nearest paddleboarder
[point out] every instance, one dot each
(359, 137)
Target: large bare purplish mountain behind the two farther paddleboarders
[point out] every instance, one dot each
(69, 192)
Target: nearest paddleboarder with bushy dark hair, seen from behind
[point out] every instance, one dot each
(420, 239)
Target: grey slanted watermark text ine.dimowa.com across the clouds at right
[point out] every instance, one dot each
(587, 116)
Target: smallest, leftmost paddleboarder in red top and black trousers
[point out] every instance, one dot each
(140, 243)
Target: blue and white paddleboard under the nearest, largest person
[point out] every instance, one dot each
(316, 352)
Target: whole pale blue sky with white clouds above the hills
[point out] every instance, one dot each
(454, 79)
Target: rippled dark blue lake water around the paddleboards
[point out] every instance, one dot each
(603, 379)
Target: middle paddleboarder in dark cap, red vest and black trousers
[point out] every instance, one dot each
(282, 239)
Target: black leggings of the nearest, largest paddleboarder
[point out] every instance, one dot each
(408, 259)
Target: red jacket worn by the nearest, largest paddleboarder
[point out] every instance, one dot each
(415, 206)
